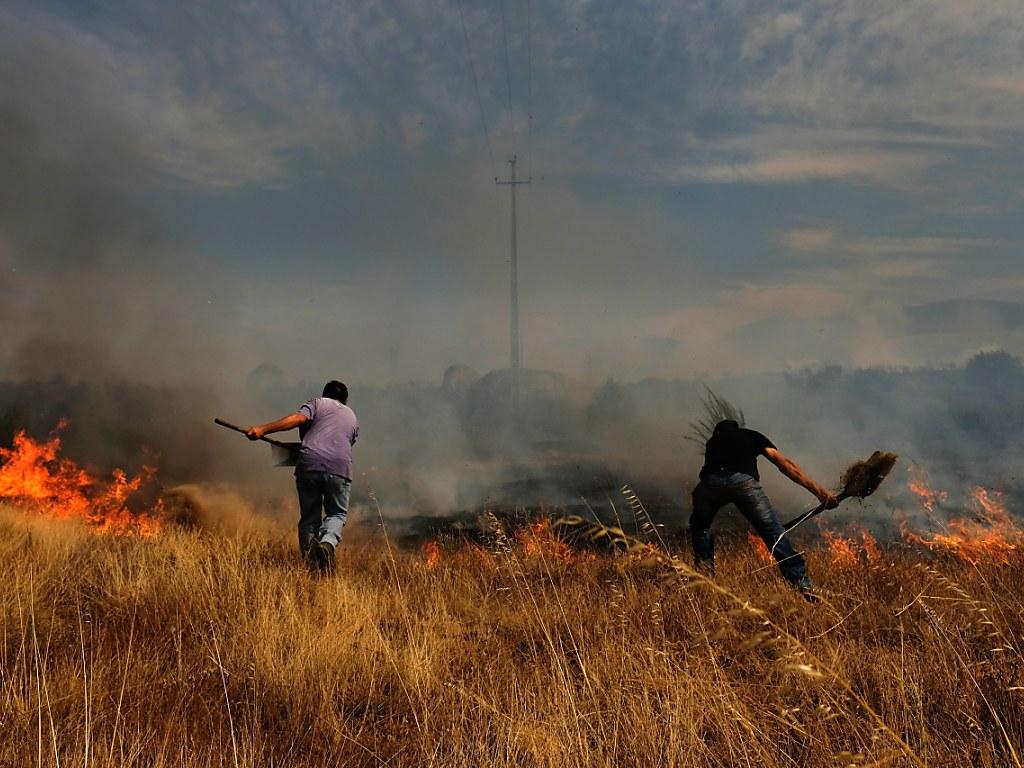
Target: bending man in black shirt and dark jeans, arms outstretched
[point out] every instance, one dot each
(731, 476)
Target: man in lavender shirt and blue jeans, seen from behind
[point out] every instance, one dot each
(324, 470)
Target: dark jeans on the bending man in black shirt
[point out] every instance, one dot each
(715, 492)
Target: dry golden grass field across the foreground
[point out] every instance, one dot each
(198, 650)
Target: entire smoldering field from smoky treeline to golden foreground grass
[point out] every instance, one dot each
(209, 645)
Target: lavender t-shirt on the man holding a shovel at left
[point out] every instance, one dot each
(328, 438)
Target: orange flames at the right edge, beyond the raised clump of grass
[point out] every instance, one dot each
(991, 535)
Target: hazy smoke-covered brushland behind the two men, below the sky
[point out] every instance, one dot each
(434, 450)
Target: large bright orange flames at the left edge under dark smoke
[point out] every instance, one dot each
(33, 475)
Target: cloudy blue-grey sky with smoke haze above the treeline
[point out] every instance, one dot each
(189, 191)
